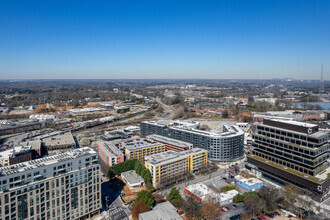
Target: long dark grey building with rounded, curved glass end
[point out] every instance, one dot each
(223, 146)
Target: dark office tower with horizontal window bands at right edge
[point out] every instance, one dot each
(292, 153)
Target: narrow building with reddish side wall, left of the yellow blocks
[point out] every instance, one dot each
(109, 154)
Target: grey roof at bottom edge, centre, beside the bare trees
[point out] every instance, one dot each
(162, 211)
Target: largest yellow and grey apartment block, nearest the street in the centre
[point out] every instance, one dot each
(170, 166)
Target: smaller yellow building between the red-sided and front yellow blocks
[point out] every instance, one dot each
(140, 148)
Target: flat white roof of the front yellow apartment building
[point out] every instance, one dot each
(167, 156)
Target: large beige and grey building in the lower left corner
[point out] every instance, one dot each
(61, 187)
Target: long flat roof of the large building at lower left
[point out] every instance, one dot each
(33, 164)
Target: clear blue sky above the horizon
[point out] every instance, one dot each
(122, 39)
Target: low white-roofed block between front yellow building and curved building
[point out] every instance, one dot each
(170, 144)
